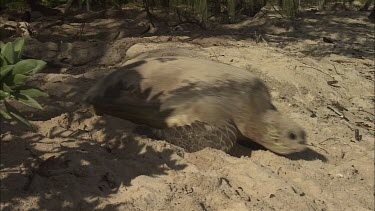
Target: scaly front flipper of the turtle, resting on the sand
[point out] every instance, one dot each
(197, 136)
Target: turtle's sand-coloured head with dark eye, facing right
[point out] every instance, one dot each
(281, 134)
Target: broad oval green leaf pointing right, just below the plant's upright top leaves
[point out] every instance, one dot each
(29, 66)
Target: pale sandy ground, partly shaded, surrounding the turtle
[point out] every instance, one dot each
(79, 161)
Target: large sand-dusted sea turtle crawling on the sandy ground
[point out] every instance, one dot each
(195, 103)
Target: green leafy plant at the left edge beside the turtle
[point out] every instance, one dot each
(13, 73)
